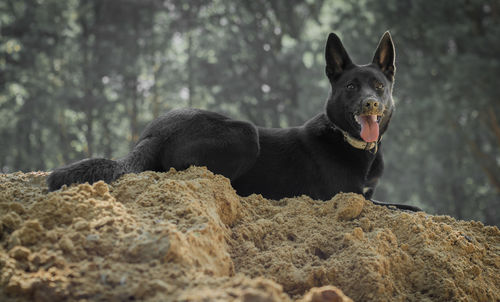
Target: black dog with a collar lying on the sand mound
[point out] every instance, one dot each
(336, 151)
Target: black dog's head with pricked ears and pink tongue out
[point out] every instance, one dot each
(361, 96)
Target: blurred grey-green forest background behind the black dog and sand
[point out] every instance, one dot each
(81, 78)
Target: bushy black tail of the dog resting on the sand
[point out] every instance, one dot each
(90, 170)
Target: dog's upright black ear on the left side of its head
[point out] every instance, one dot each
(337, 59)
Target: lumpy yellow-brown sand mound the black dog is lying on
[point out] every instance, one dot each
(188, 236)
